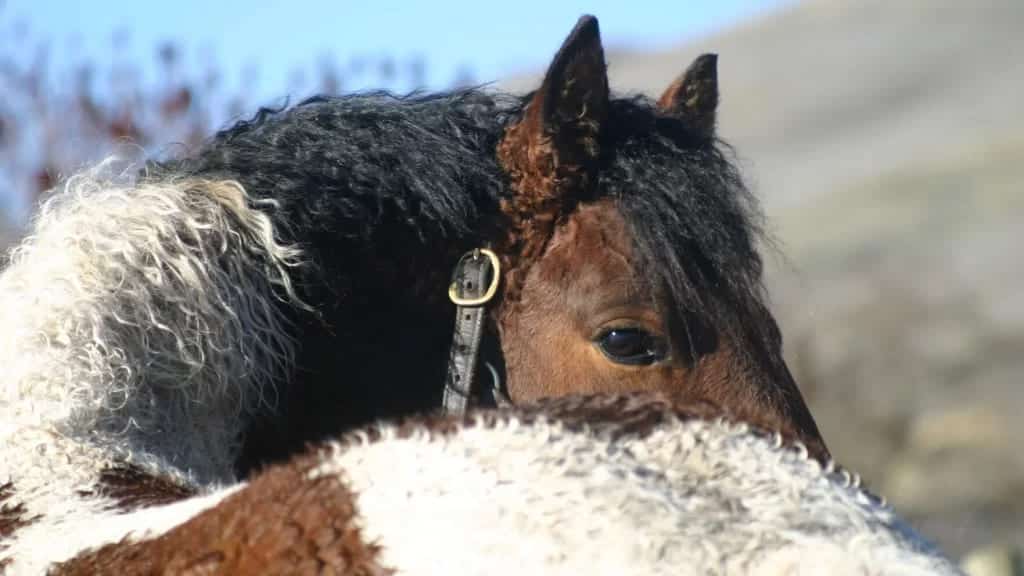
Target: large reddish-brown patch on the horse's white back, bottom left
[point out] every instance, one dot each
(282, 523)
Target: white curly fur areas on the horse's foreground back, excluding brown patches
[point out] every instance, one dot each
(693, 499)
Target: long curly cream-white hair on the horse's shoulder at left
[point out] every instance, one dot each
(141, 325)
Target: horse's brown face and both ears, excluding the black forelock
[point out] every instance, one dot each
(582, 315)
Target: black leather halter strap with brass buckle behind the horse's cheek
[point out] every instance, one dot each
(475, 284)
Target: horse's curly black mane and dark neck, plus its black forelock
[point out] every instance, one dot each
(383, 193)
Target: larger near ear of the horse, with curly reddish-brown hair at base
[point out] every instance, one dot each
(551, 155)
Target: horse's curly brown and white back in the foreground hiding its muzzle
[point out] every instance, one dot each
(627, 484)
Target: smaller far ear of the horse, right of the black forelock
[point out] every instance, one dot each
(694, 97)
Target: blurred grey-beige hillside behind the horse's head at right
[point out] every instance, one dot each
(887, 144)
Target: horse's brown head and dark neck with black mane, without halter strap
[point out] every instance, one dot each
(629, 249)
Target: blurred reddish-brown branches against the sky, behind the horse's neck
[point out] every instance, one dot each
(48, 133)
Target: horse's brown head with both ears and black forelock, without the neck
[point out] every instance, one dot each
(632, 251)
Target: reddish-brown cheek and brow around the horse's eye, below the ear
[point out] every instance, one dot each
(583, 323)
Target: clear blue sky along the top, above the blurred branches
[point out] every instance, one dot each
(276, 36)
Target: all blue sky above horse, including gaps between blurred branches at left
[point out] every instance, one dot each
(258, 47)
